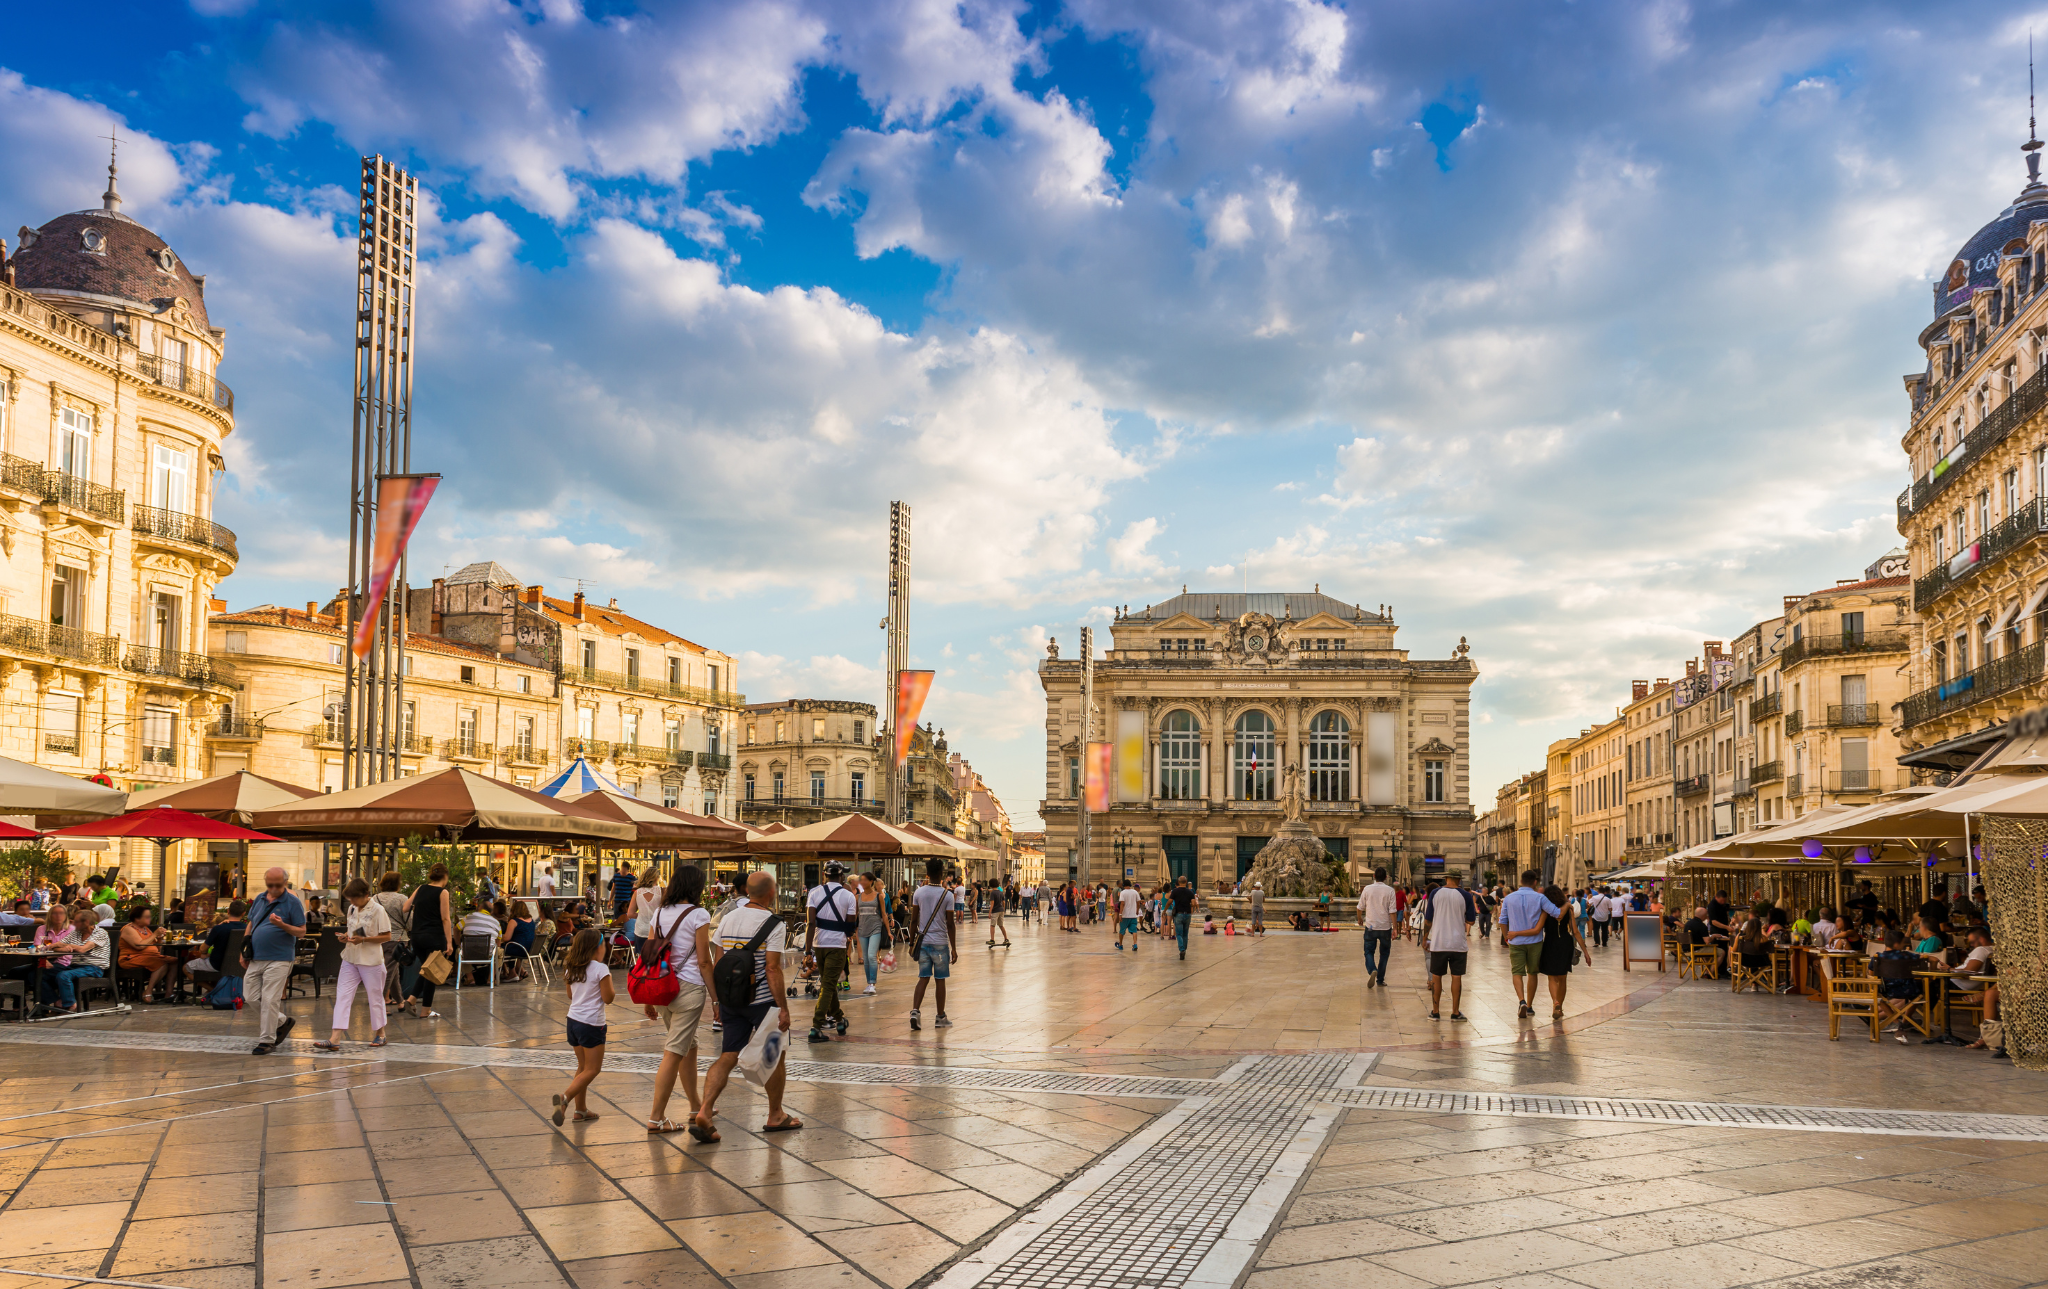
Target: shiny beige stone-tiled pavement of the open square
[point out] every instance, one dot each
(1091, 1120)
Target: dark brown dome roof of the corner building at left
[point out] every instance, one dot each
(112, 257)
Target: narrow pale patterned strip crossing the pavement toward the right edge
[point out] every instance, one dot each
(1705, 1114)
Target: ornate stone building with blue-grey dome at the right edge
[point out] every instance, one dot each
(1977, 509)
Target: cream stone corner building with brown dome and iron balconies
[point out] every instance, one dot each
(112, 427)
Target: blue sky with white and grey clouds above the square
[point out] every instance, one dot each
(1574, 331)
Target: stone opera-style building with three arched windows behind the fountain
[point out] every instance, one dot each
(1226, 694)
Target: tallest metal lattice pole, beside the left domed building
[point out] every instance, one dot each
(374, 685)
